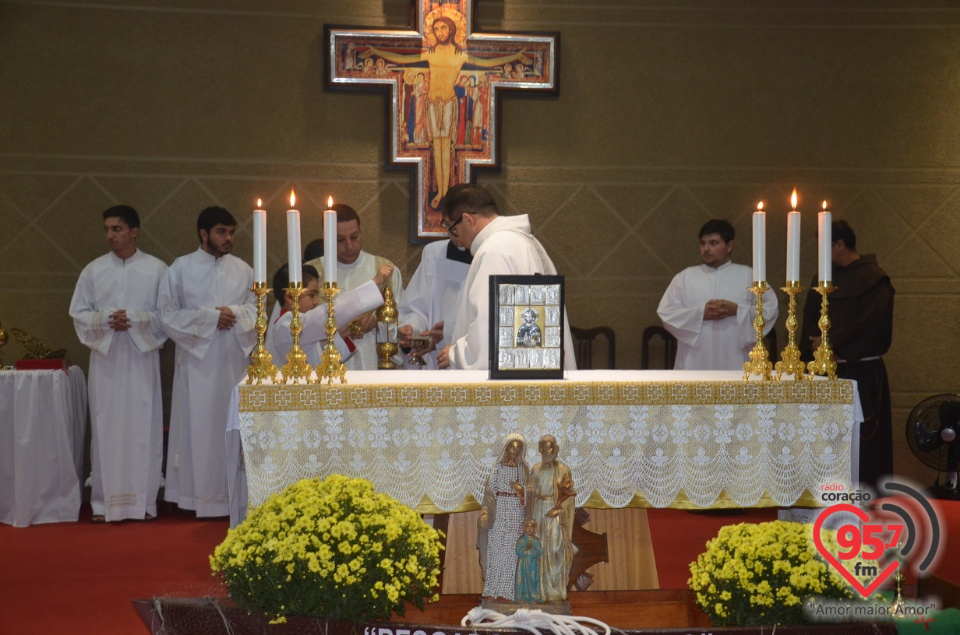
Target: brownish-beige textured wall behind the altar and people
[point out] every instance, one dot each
(669, 114)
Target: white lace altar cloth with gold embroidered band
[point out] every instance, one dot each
(647, 438)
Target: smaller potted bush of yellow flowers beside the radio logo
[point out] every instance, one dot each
(754, 574)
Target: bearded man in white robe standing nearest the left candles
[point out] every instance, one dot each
(207, 307)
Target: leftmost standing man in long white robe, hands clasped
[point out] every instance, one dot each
(114, 311)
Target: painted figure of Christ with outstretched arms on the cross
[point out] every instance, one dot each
(445, 57)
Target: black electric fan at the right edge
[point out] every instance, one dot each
(933, 432)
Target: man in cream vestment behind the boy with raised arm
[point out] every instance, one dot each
(354, 268)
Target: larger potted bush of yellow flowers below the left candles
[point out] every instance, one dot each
(330, 548)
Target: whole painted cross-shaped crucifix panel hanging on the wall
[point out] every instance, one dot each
(444, 81)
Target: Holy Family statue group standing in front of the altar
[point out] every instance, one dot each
(525, 528)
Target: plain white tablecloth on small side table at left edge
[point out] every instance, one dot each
(42, 422)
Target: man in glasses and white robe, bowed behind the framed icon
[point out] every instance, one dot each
(501, 245)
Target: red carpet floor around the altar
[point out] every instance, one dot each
(80, 578)
